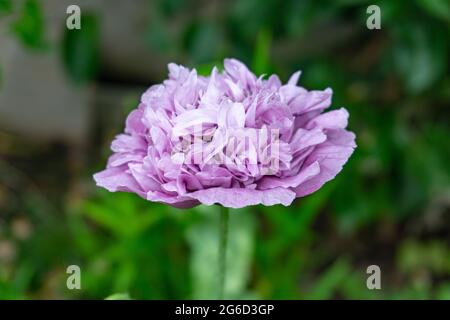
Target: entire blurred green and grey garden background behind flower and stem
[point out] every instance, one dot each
(65, 94)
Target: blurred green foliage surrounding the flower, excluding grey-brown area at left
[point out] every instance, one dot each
(390, 206)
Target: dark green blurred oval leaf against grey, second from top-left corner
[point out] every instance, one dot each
(80, 50)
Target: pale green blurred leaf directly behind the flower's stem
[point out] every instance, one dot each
(203, 239)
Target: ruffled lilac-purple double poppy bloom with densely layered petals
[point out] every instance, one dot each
(230, 138)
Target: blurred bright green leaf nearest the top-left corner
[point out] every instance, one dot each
(29, 27)
